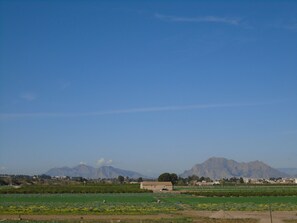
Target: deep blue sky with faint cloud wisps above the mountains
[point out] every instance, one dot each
(149, 86)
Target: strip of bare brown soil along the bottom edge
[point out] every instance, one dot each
(197, 216)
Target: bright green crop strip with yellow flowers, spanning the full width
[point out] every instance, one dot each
(133, 203)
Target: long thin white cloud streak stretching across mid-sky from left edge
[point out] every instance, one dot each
(5, 116)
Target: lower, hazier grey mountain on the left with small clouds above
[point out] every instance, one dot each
(104, 172)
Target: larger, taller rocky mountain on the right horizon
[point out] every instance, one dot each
(218, 168)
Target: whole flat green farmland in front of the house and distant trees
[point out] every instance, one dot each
(47, 201)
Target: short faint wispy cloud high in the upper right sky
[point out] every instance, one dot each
(207, 19)
